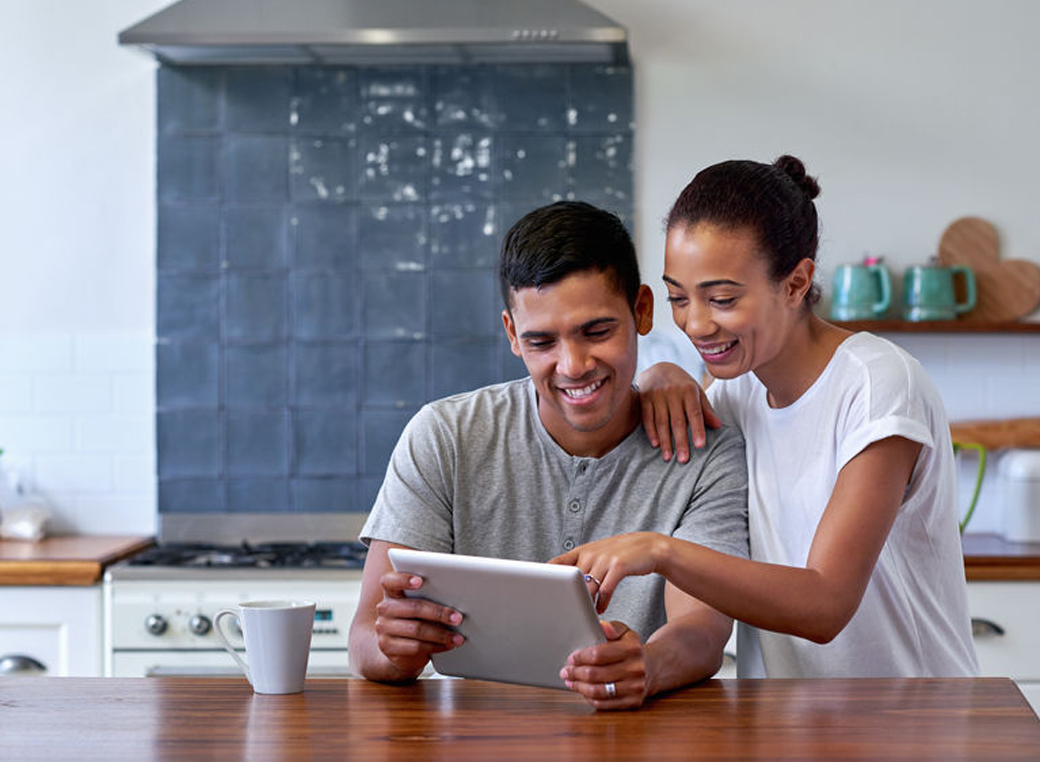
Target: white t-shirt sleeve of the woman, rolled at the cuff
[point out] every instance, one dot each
(891, 403)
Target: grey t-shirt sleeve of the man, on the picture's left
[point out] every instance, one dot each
(413, 507)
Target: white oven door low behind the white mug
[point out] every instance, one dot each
(214, 665)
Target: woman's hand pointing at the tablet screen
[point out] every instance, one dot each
(609, 562)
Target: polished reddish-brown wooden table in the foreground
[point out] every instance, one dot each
(190, 719)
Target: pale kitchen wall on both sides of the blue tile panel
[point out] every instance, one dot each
(919, 115)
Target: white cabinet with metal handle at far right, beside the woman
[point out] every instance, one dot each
(1006, 621)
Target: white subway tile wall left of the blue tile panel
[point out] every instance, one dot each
(77, 425)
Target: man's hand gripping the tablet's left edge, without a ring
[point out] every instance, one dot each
(410, 630)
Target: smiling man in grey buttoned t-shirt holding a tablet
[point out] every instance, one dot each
(533, 468)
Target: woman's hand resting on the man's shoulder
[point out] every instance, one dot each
(673, 404)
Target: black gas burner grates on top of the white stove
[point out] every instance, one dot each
(269, 556)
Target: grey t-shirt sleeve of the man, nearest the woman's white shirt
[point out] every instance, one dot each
(717, 516)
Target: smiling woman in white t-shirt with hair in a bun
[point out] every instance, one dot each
(856, 561)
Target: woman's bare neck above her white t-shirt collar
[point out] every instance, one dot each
(811, 345)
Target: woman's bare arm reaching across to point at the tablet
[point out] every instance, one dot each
(815, 602)
